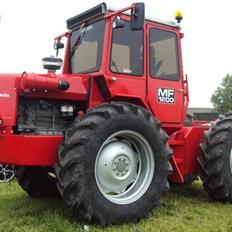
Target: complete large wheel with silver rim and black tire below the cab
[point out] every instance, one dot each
(113, 165)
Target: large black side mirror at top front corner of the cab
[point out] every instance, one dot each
(137, 16)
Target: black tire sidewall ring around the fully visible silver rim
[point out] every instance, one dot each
(100, 135)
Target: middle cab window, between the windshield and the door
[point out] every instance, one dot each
(127, 51)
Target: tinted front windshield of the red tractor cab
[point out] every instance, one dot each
(86, 48)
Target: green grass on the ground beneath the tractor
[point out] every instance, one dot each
(185, 208)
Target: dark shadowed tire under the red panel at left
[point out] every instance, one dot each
(38, 182)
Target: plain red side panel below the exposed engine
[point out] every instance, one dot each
(29, 150)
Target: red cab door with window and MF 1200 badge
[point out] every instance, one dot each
(165, 78)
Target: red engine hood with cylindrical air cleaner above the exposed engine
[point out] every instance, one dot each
(12, 86)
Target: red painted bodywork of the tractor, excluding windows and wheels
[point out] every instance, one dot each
(94, 89)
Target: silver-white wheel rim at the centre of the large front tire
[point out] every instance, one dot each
(124, 167)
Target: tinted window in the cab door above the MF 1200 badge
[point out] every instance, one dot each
(163, 55)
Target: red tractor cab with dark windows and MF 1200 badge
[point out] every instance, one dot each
(130, 52)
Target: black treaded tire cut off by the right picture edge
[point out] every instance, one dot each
(216, 160)
